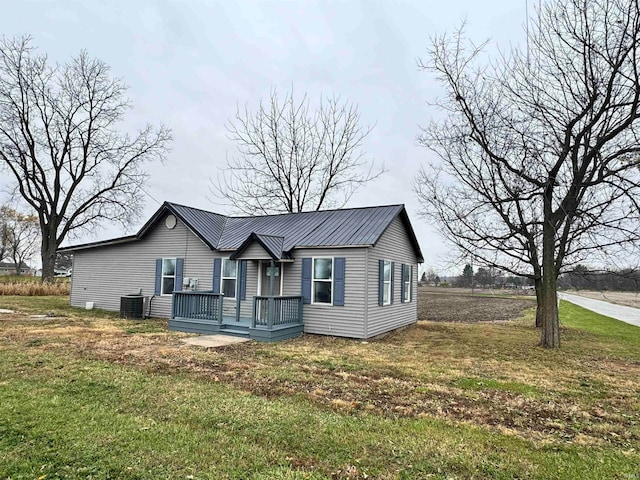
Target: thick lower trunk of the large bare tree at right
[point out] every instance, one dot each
(550, 337)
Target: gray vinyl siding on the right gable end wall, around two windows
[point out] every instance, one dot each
(395, 246)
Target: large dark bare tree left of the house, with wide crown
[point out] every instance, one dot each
(59, 139)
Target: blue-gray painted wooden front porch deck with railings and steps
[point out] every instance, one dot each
(273, 317)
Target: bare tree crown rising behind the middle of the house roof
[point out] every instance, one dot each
(294, 159)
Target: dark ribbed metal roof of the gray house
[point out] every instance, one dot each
(280, 234)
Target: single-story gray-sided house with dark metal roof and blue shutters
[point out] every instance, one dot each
(349, 272)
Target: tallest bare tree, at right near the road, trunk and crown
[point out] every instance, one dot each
(538, 150)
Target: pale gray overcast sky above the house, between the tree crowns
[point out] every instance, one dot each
(189, 64)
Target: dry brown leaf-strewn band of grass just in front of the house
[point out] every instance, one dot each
(491, 375)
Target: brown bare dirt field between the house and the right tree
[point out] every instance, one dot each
(446, 307)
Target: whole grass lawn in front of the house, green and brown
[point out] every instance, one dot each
(98, 397)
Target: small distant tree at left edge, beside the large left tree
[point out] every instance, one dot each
(22, 236)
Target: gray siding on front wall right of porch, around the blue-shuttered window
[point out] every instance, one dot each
(342, 321)
